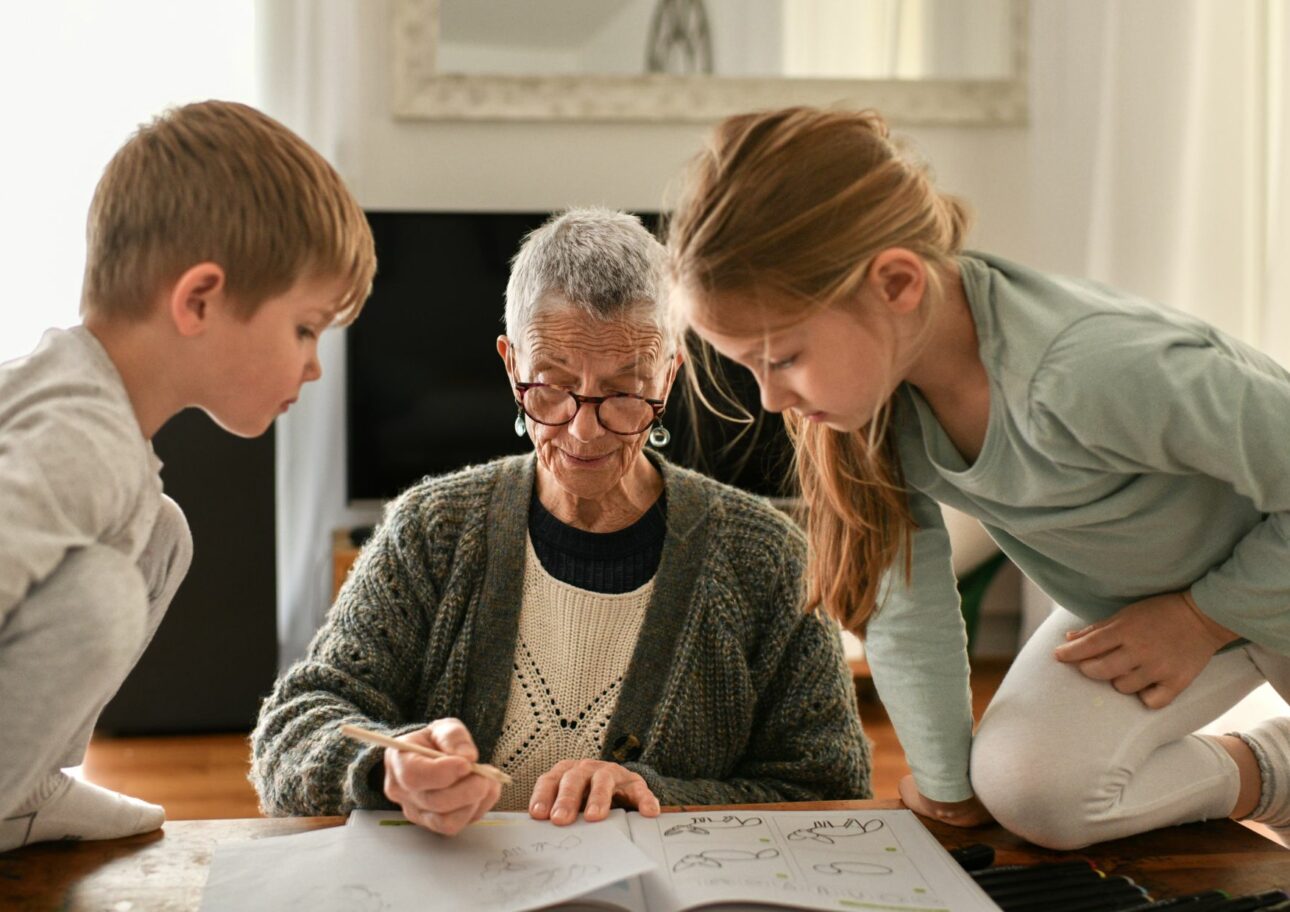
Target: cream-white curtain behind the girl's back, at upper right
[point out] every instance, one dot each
(1162, 163)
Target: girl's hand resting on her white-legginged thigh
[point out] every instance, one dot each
(1154, 648)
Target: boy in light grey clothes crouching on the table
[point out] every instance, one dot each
(220, 247)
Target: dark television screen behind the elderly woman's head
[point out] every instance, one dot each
(426, 390)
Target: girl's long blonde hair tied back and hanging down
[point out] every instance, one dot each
(780, 217)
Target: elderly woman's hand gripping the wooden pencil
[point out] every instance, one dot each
(442, 795)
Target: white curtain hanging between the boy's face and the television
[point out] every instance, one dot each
(308, 59)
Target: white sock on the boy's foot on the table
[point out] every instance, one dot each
(64, 808)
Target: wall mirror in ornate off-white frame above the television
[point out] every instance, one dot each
(918, 61)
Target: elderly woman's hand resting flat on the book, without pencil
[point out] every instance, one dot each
(597, 785)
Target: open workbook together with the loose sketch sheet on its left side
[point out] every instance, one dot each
(871, 860)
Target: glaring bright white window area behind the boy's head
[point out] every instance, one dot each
(77, 78)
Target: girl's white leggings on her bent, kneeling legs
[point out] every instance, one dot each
(1065, 762)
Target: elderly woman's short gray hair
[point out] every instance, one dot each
(600, 261)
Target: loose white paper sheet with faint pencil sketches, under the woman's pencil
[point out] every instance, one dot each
(504, 864)
